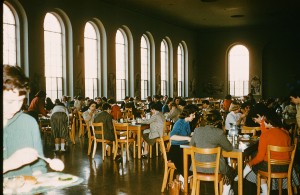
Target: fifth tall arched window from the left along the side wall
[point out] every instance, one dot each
(145, 66)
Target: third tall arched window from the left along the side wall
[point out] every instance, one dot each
(91, 43)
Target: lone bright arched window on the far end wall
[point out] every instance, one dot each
(238, 70)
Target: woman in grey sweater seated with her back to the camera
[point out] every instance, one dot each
(212, 136)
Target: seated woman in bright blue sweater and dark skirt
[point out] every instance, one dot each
(179, 135)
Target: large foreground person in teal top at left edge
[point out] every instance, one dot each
(21, 134)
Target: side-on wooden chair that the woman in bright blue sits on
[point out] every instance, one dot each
(169, 167)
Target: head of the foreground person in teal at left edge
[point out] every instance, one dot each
(15, 87)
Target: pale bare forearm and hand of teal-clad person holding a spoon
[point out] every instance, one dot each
(19, 158)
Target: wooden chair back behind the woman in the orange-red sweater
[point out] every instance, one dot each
(271, 161)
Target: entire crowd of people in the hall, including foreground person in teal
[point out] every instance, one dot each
(201, 125)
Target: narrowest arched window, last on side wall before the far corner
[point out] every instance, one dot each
(180, 69)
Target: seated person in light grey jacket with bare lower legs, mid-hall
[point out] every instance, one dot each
(156, 127)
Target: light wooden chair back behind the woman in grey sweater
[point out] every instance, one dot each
(207, 165)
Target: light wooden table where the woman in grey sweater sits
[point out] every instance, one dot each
(246, 148)
